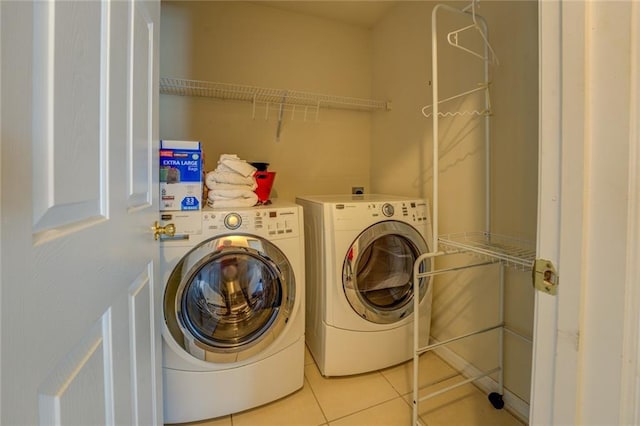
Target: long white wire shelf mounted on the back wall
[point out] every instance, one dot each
(226, 91)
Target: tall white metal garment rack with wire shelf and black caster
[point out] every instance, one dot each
(485, 247)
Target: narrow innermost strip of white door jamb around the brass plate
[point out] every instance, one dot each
(545, 317)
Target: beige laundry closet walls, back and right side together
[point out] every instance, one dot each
(389, 151)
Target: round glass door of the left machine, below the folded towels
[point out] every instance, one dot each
(229, 298)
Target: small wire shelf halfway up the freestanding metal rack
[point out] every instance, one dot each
(513, 252)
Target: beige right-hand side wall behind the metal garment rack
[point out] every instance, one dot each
(401, 158)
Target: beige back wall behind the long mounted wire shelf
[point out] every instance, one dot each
(250, 44)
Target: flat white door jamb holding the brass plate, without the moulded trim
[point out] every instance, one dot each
(560, 215)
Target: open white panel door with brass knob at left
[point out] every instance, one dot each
(80, 298)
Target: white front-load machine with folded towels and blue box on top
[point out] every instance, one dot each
(233, 336)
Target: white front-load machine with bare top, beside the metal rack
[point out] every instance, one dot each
(360, 252)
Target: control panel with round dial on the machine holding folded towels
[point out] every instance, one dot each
(282, 222)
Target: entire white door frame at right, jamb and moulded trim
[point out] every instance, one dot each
(589, 214)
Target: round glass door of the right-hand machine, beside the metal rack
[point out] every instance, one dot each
(377, 273)
